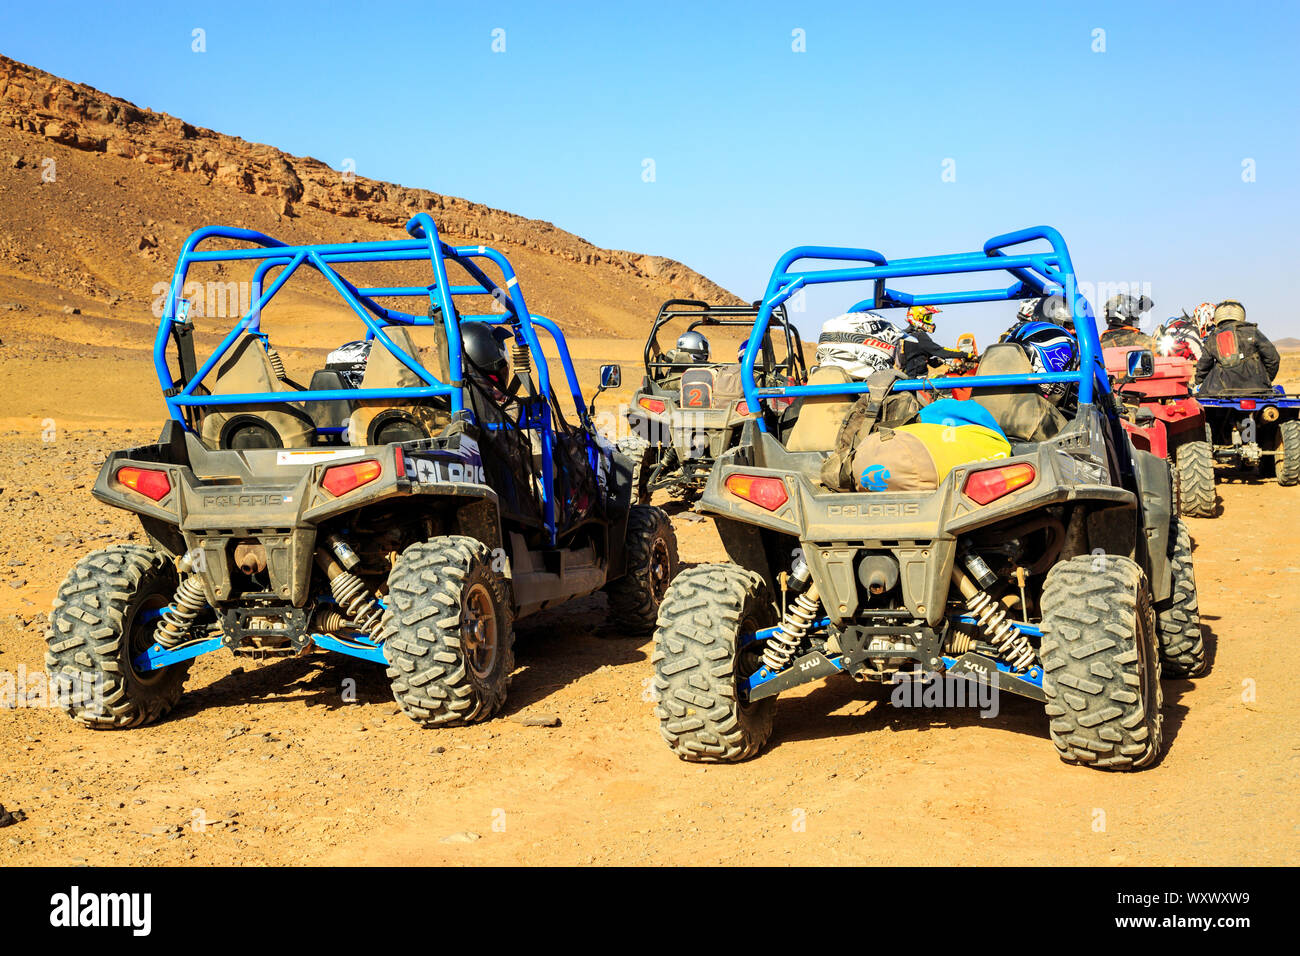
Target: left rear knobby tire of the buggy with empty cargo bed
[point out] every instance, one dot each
(98, 626)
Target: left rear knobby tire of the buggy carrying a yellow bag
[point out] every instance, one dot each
(699, 661)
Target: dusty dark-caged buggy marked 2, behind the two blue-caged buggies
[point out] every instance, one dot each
(686, 414)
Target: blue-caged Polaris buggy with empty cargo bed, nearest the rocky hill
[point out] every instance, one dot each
(408, 521)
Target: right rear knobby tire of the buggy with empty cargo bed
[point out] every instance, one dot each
(448, 633)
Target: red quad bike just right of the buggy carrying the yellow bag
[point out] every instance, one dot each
(1163, 417)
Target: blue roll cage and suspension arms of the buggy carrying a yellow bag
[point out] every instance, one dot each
(1037, 274)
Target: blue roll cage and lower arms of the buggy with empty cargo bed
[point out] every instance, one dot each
(424, 244)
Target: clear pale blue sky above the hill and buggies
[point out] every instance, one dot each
(1136, 153)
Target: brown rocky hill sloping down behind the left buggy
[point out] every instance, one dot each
(96, 189)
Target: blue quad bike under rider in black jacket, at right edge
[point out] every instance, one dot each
(1256, 432)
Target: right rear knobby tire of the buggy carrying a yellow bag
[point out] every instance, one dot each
(1100, 663)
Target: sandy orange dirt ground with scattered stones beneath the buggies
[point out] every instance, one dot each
(271, 765)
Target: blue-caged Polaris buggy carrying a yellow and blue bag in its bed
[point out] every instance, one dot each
(1060, 573)
